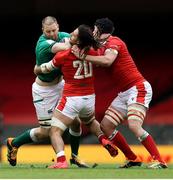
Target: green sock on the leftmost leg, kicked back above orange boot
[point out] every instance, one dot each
(24, 138)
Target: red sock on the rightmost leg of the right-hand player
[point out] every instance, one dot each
(150, 145)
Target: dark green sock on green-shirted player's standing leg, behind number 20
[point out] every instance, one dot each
(74, 143)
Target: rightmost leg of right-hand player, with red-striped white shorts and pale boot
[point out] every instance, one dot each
(138, 101)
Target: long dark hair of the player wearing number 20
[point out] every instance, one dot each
(85, 38)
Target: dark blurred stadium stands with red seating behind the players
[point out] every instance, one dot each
(145, 26)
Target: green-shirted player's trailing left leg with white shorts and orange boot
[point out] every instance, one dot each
(44, 99)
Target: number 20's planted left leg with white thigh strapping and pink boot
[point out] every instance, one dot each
(64, 115)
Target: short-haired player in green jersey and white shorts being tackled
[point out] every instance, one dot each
(46, 91)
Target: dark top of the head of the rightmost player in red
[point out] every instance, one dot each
(104, 25)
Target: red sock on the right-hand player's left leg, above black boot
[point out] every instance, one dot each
(121, 143)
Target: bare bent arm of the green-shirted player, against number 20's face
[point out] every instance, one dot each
(60, 46)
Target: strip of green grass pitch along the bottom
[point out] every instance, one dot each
(102, 171)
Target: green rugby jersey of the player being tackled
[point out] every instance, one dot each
(44, 54)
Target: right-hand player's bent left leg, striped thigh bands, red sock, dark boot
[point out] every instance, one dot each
(113, 117)
